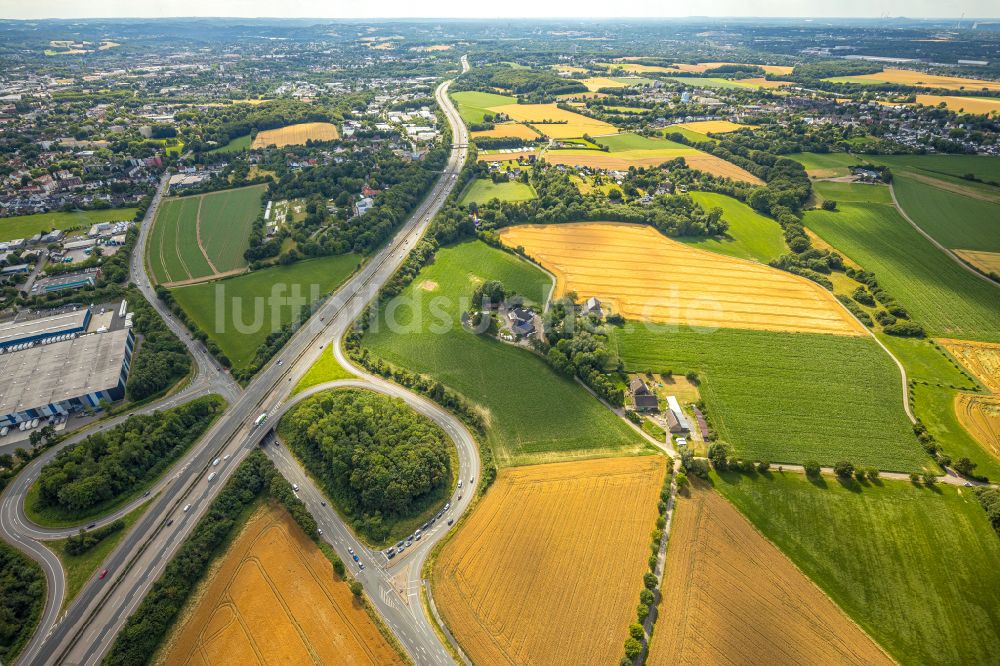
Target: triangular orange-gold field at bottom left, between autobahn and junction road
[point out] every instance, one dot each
(275, 599)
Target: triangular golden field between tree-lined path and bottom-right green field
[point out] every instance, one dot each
(732, 597)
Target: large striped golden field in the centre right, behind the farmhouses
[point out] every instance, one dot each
(645, 276)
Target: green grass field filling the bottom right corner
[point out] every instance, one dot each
(914, 567)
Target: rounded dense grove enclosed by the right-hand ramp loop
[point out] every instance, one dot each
(377, 458)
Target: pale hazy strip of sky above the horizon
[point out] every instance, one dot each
(14, 9)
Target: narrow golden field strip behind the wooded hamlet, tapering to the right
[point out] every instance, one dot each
(621, 160)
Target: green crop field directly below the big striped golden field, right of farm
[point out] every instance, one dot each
(789, 397)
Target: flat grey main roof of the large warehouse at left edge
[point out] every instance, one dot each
(47, 374)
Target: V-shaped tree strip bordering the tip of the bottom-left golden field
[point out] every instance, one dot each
(256, 478)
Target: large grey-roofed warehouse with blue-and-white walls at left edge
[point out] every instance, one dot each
(66, 373)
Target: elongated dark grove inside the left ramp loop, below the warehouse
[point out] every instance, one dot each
(108, 464)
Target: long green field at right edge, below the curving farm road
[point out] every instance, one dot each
(944, 298)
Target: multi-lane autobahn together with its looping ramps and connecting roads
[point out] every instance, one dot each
(87, 629)
